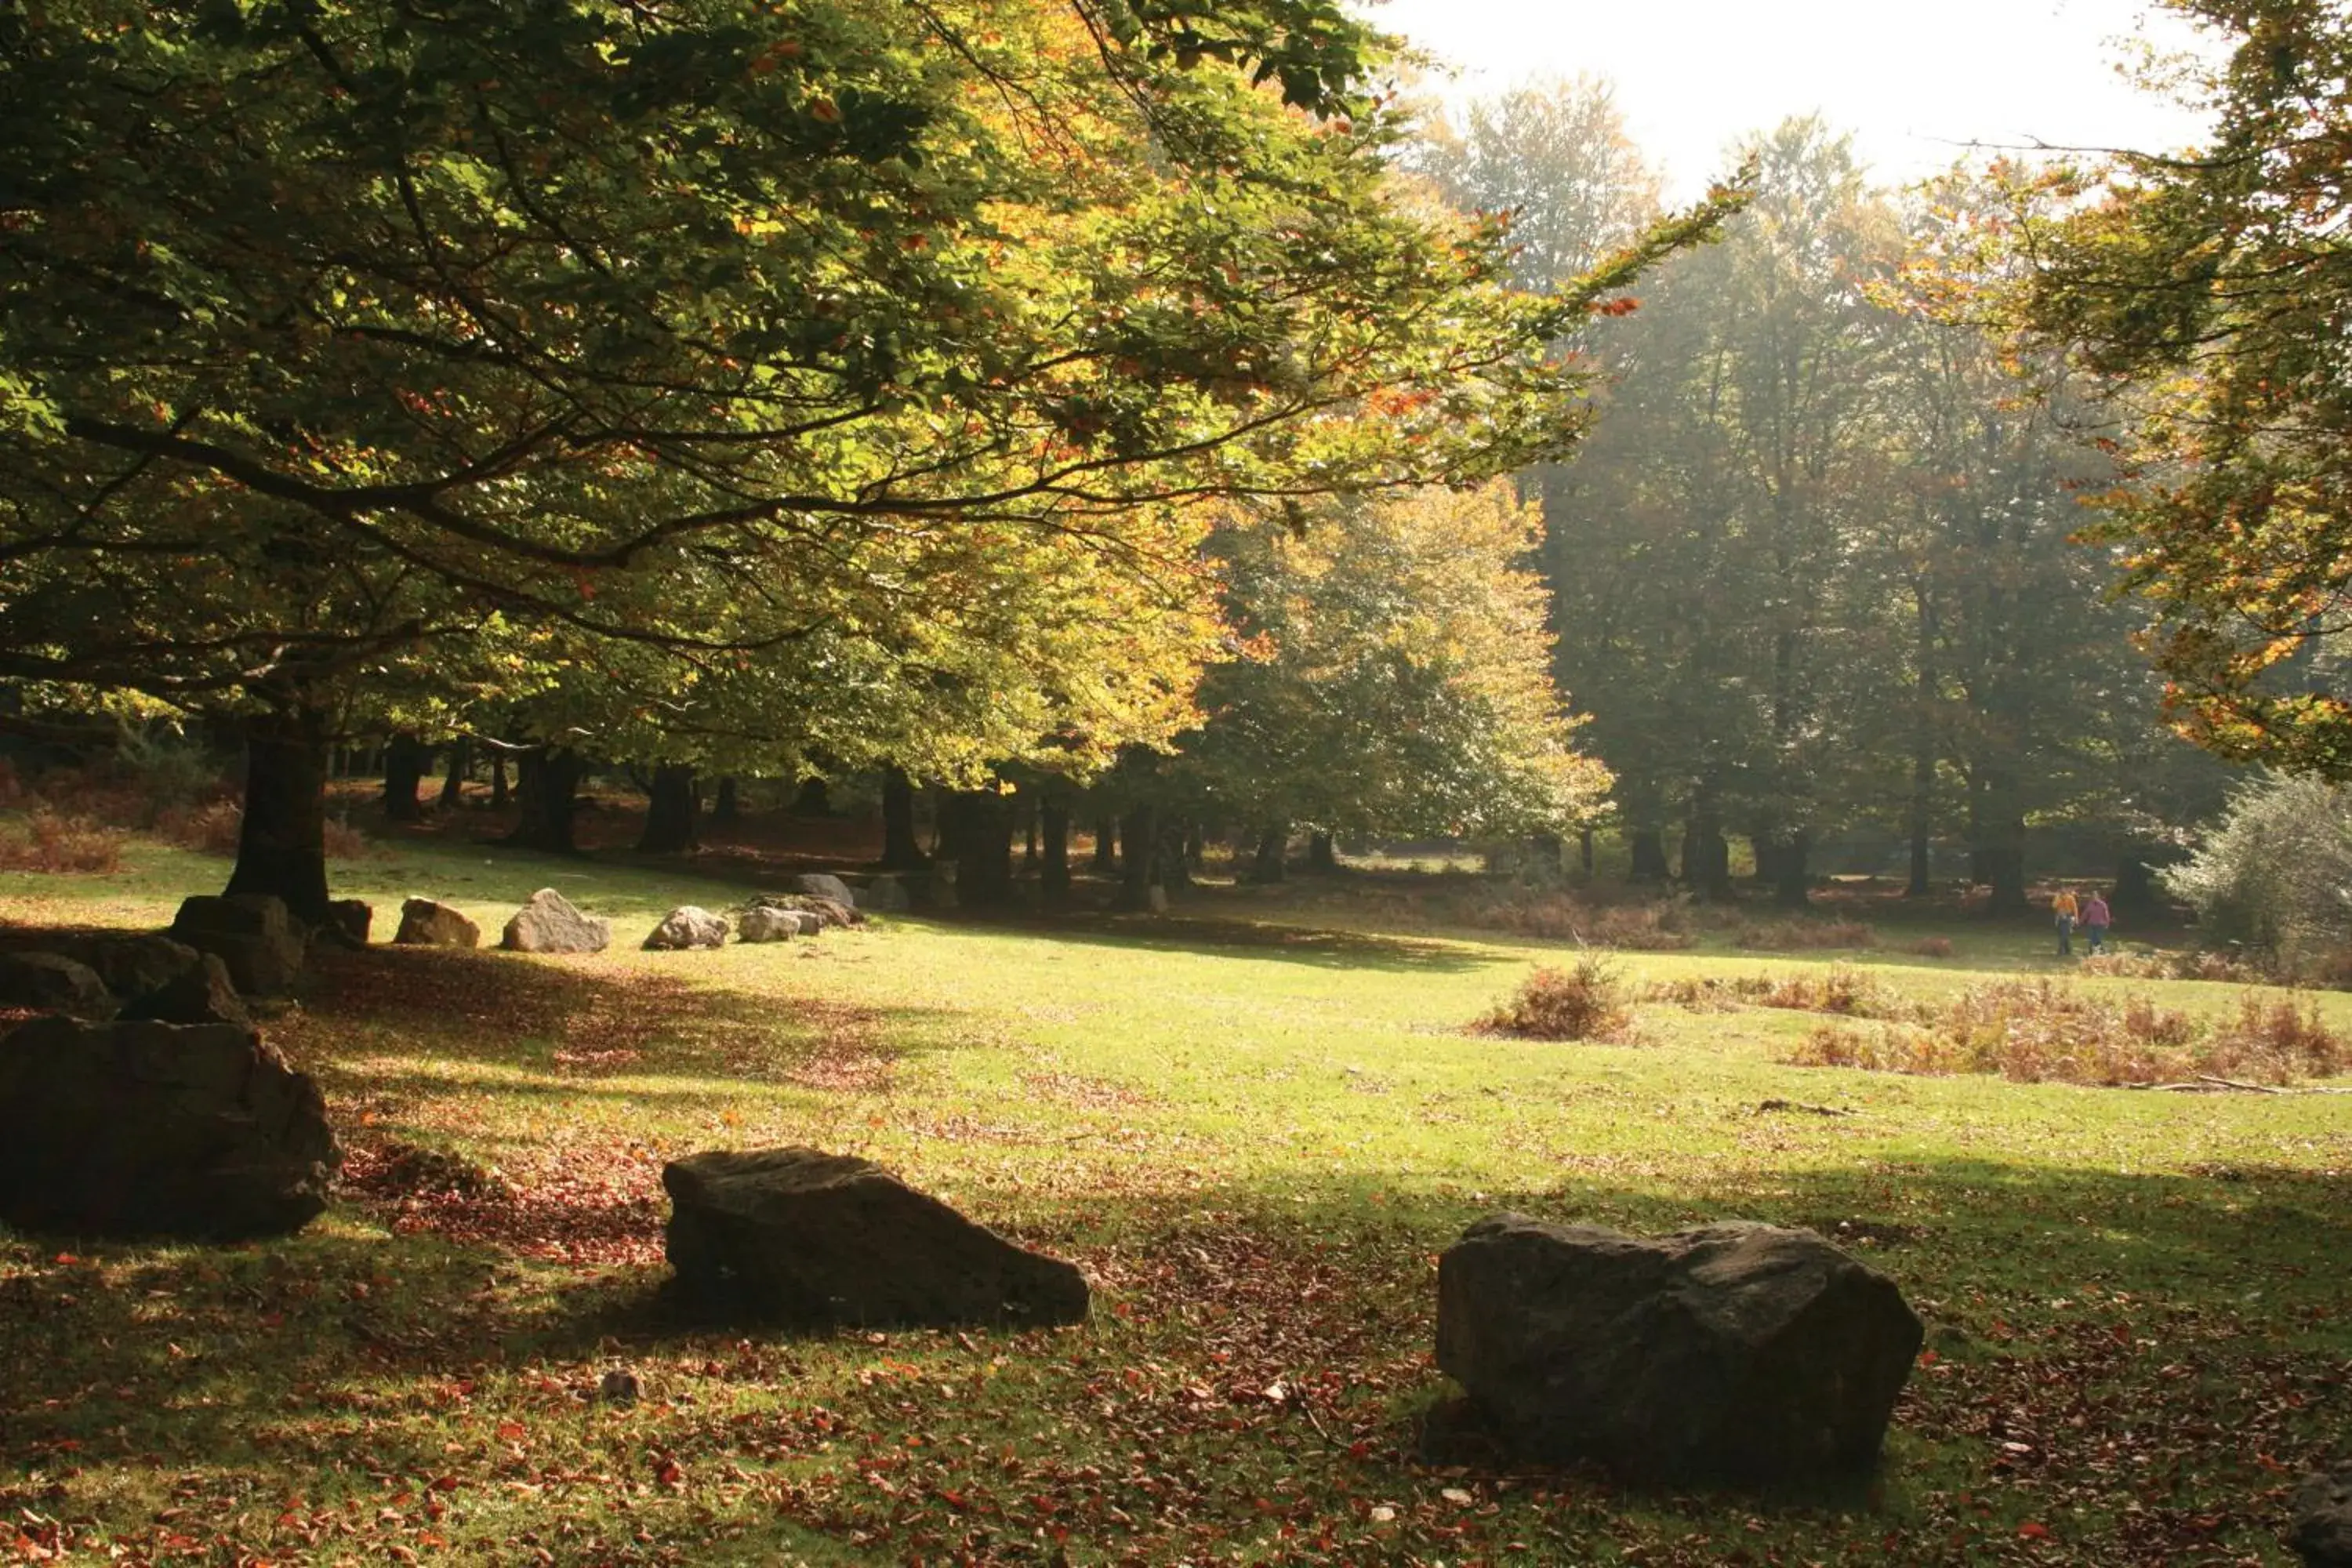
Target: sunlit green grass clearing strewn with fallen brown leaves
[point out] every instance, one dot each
(1255, 1125)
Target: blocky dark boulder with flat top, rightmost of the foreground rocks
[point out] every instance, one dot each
(1728, 1353)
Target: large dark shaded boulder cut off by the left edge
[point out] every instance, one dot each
(152, 1130)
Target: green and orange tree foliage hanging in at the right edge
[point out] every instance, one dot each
(2210, 290)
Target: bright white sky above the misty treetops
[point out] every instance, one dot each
(1911, 79)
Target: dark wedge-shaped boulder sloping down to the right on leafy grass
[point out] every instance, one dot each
(827, 1240)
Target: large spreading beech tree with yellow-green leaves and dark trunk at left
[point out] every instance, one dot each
(335, 333)
